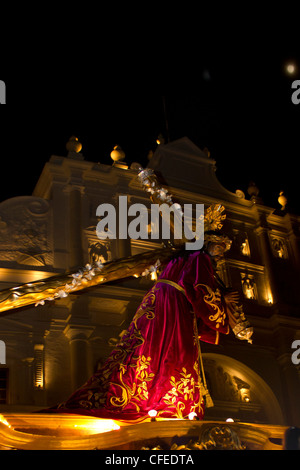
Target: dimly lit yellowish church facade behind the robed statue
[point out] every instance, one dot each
(51, 349)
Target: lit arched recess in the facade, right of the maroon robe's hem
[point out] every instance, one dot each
(238, 392)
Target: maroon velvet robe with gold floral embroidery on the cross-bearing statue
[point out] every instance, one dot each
(156, 364)
